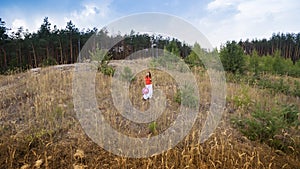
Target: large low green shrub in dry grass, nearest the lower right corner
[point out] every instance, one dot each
(268, 126)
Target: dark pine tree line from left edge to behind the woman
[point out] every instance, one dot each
(22, 50)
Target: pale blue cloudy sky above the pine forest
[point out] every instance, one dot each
(218, 20)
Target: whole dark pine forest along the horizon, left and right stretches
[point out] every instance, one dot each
(22, 50)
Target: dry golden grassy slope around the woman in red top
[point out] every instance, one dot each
(39, 126)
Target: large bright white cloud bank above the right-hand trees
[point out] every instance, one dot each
(235, 20)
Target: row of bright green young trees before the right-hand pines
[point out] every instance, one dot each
(236, 61)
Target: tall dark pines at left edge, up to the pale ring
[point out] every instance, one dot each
(22, 50)
